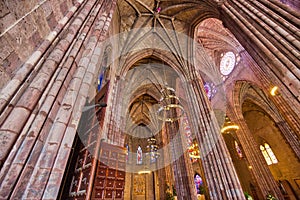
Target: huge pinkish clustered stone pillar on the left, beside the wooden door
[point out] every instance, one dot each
(48, 105)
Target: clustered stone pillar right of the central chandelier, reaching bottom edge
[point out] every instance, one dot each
(219, 171)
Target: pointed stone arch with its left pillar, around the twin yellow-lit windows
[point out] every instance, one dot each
(247, 91)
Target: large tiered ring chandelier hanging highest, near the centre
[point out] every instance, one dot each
(170, 108)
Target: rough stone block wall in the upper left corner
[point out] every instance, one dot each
(23, 26)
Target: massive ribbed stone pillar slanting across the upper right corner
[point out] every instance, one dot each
(271, 34)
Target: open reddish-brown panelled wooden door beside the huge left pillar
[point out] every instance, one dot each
(99, 167)
